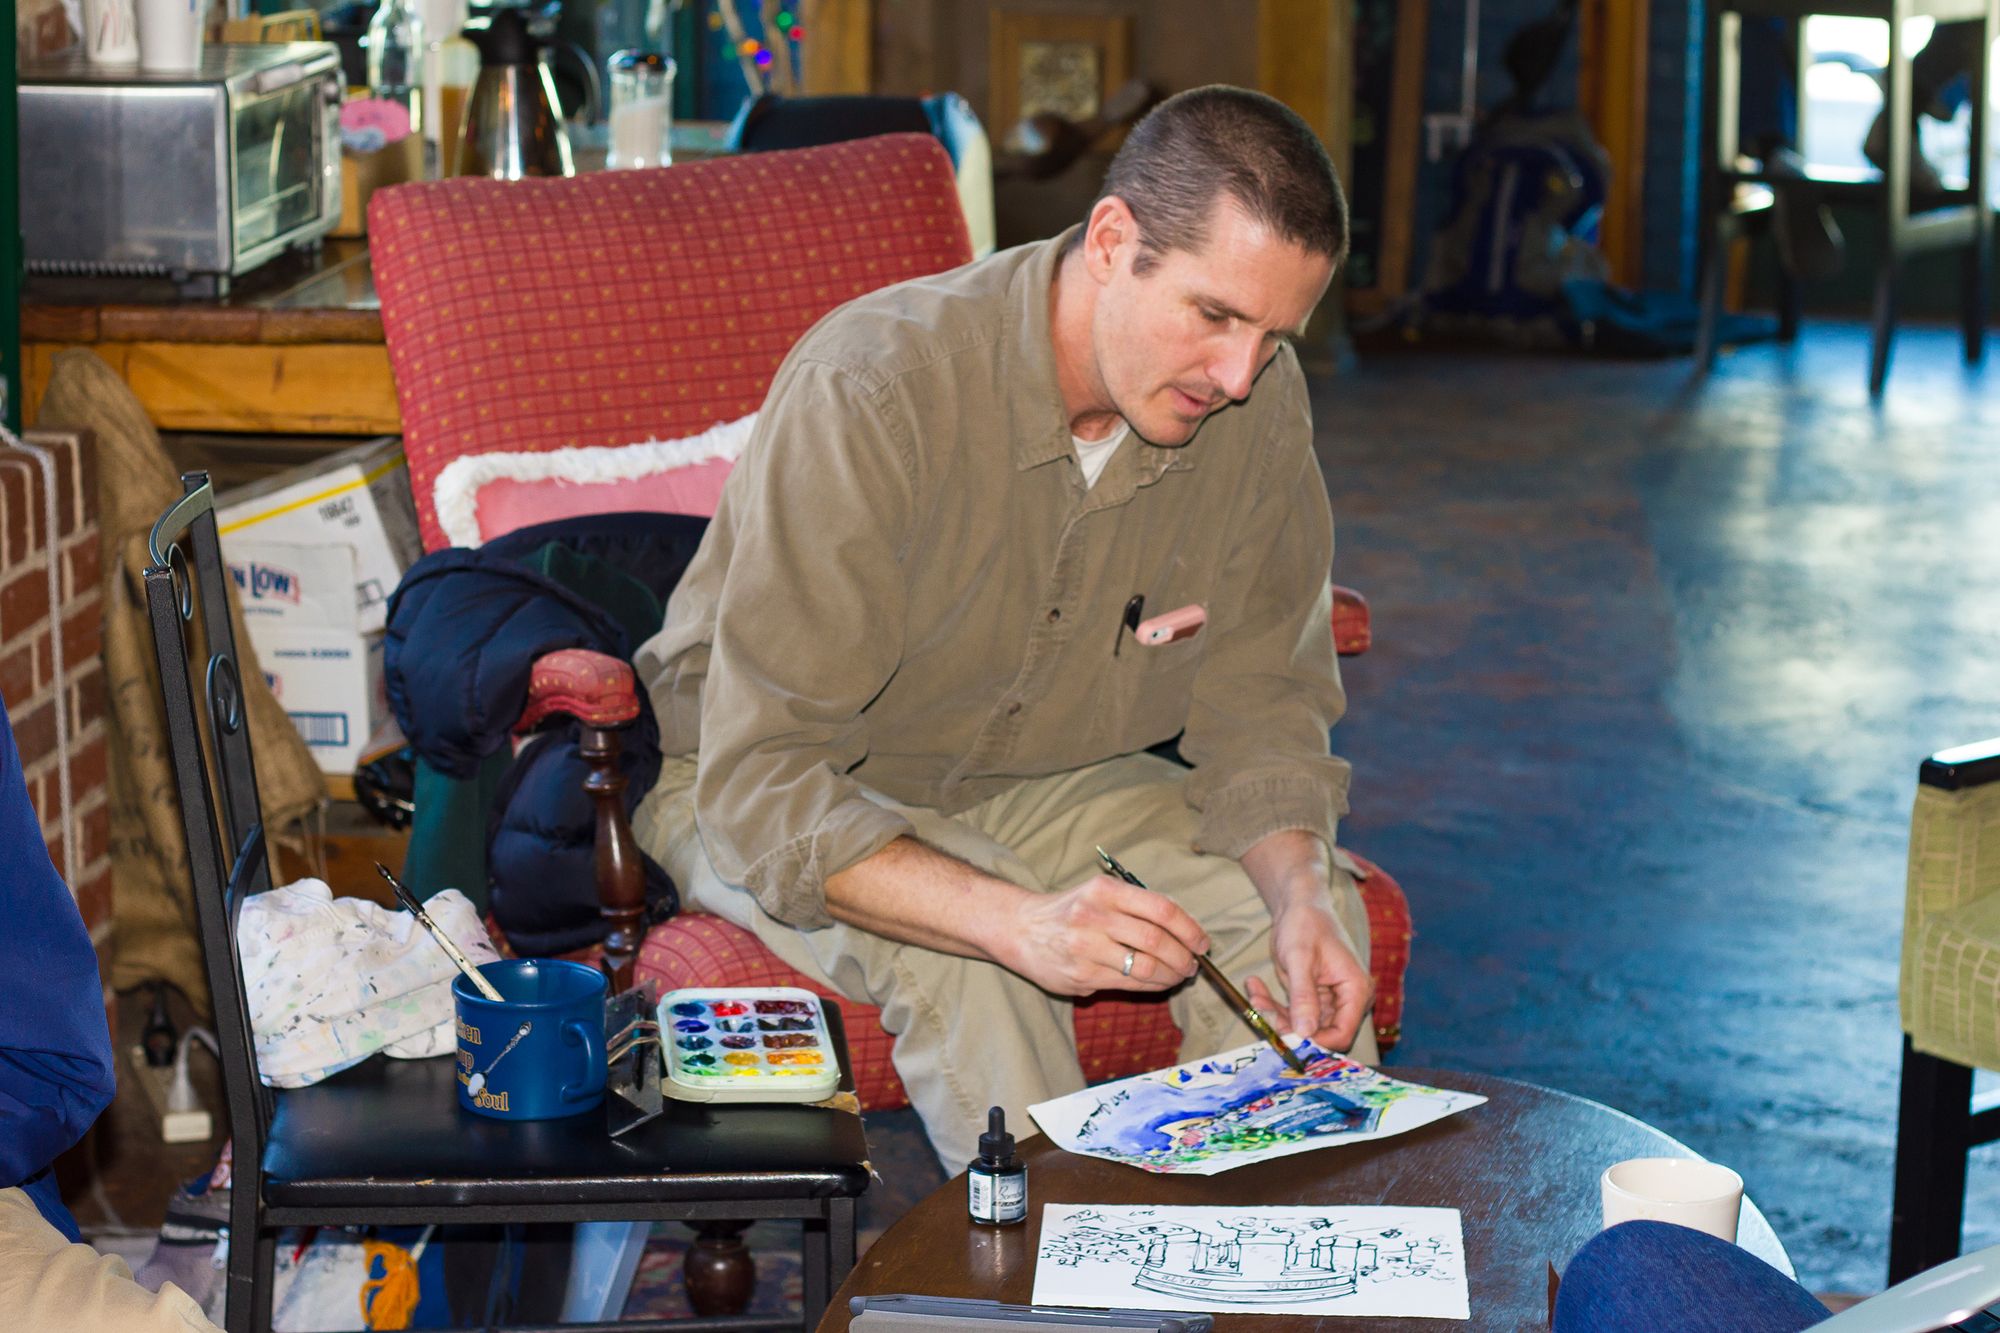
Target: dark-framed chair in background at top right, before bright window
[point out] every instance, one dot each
(1735, 191)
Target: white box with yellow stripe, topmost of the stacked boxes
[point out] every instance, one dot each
(357, 497)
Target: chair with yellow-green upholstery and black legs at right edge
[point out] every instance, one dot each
(1951, 1002)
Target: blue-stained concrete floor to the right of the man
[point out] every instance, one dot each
(1655, 670)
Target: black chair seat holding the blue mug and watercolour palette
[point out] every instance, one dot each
(393, 1134)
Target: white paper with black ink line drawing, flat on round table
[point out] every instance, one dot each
(1367, 1260)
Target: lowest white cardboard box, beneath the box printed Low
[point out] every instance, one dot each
(331, 686)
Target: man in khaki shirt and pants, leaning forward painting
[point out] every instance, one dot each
(903, 692)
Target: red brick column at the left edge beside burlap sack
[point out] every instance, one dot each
(29, 629)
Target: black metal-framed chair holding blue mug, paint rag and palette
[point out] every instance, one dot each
(387, 1142)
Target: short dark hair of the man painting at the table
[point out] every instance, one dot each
(1217, 141)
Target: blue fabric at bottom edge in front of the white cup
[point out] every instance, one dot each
(1645, 1278)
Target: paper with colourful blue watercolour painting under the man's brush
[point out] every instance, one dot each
(1239, 1108)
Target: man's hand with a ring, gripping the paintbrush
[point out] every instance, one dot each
(1077, 942)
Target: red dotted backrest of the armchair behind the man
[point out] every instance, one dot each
(617, 307)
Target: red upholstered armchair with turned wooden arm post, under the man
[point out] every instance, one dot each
(609, 309)
